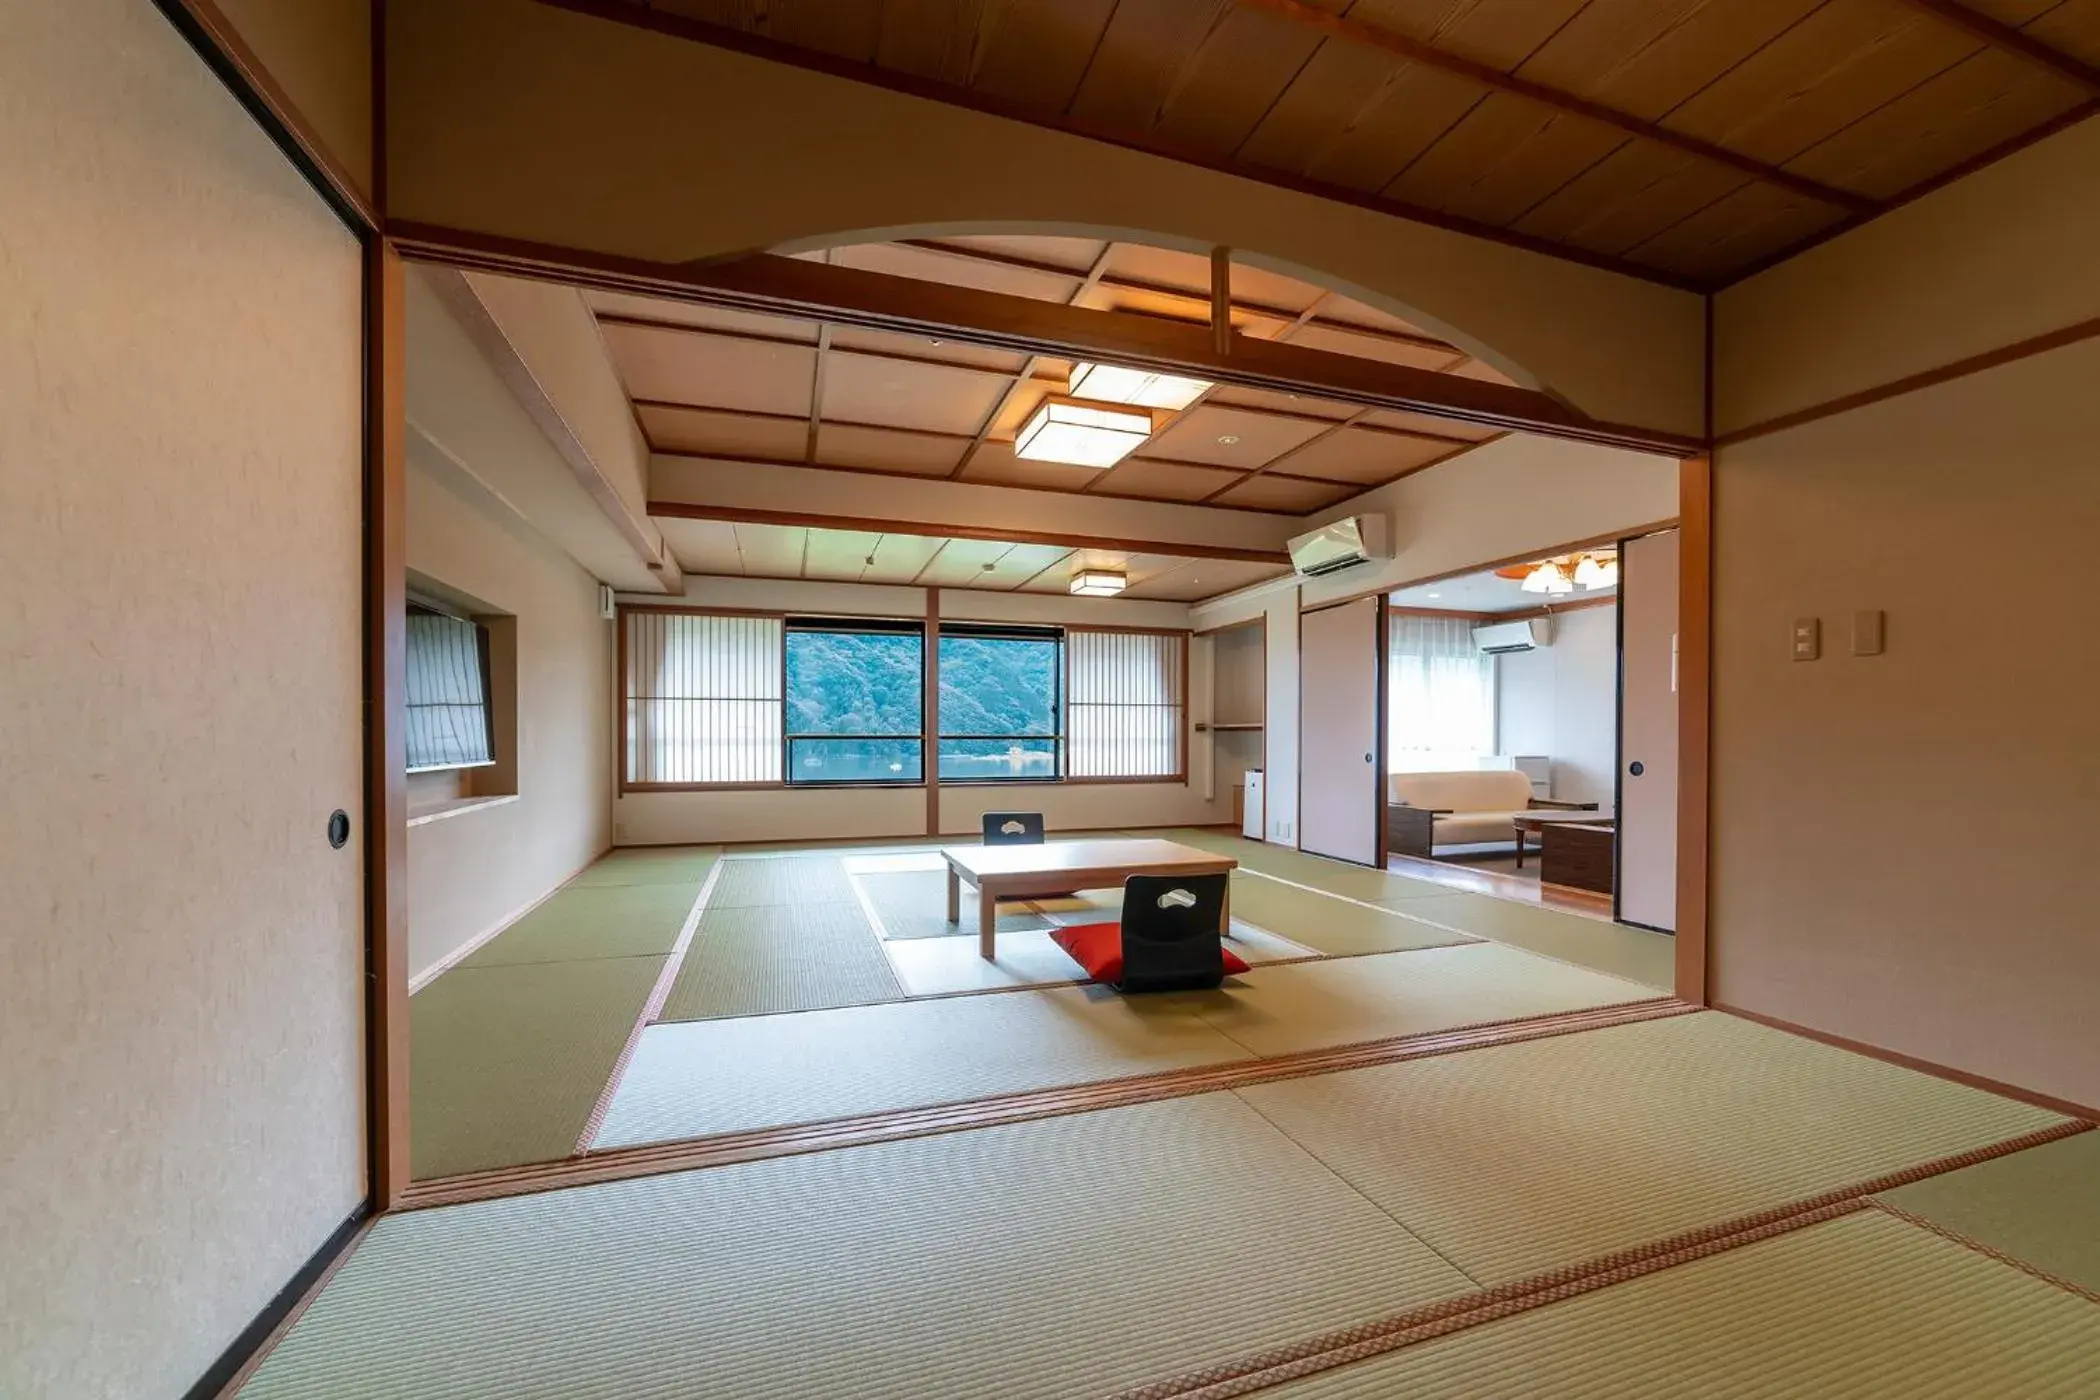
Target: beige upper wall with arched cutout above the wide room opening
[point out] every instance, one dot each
(654, 152)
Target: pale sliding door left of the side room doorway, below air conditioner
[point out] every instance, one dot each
(1341, 721)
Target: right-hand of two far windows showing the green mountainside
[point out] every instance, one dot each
(1001, 704)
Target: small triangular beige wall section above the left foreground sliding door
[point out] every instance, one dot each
(320, 54)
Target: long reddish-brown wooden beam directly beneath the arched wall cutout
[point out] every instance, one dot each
(770, 284)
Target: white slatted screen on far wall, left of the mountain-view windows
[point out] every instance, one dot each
(705, 698)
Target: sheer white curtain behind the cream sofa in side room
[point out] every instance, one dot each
(1442, 696)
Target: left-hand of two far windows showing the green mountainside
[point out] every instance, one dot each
(856, 702)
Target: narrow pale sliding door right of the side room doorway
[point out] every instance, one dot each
(1650, 731)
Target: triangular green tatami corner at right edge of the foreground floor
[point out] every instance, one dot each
(2040, 1206)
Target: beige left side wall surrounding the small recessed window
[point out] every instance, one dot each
(478, 870)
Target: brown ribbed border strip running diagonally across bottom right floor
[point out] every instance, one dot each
(1351, 1344)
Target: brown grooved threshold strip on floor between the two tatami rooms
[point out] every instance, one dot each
(894, 1126)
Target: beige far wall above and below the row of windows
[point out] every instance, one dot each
(770, 815)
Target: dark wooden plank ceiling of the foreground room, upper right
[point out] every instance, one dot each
(1683, 140)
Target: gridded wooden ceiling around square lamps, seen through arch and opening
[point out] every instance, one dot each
(799, 394)
